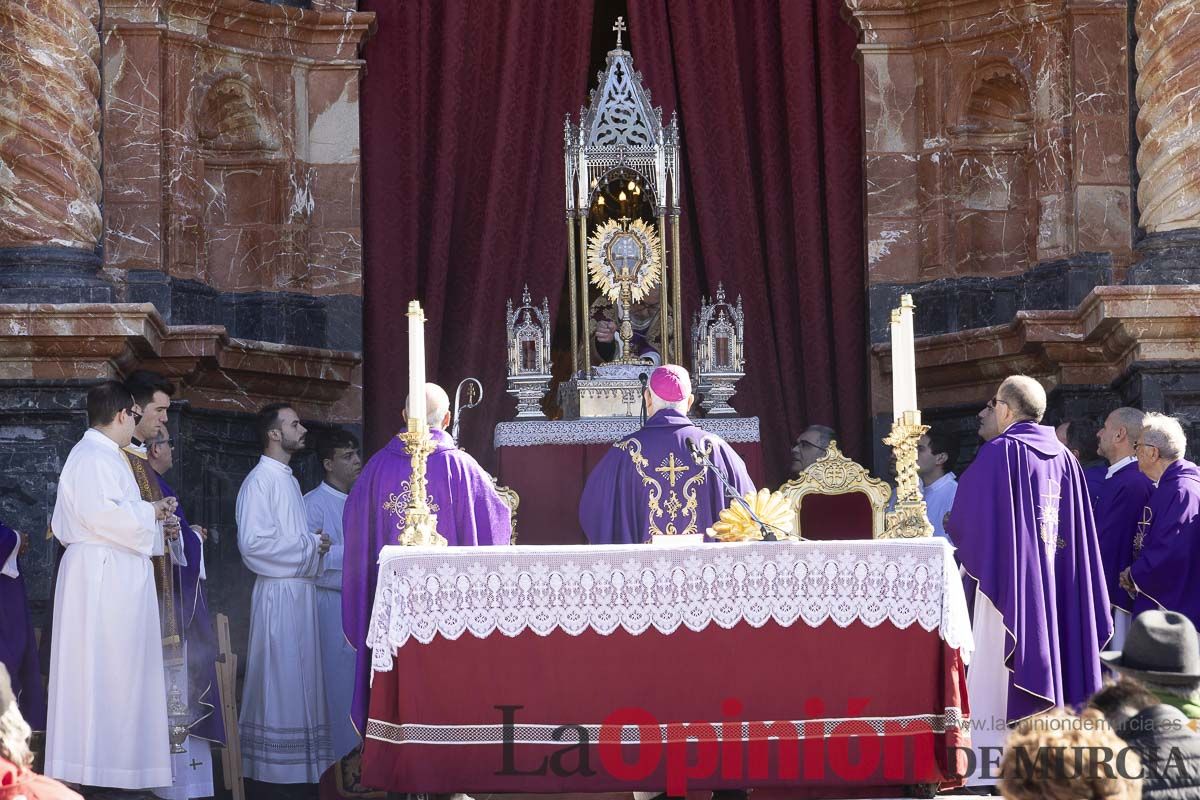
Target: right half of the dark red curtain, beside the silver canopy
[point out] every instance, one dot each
(770, 117)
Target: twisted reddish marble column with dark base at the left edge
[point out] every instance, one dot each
(50, 152)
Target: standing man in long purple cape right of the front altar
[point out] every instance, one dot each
(1027, 538)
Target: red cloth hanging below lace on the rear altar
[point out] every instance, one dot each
(550, 478)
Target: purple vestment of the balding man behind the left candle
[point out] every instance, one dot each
(470, 513)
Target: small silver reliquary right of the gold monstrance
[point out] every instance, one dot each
(718, 354)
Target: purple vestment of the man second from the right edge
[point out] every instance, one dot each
(1120, 507)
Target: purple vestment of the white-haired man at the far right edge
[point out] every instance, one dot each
(1167, 566)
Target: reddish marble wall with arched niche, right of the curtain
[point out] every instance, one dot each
(997, 155)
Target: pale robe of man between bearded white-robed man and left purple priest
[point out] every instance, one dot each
(325, 507)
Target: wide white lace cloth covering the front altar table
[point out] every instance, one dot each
(429, 592)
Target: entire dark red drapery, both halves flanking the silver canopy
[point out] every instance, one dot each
(463, 122)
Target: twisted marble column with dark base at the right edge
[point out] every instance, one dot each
(1168, 61)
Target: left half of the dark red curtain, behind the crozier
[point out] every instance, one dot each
(463, 137)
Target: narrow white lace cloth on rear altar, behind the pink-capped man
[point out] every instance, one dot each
(607, 431)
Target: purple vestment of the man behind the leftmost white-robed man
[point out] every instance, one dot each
(193, 617)
